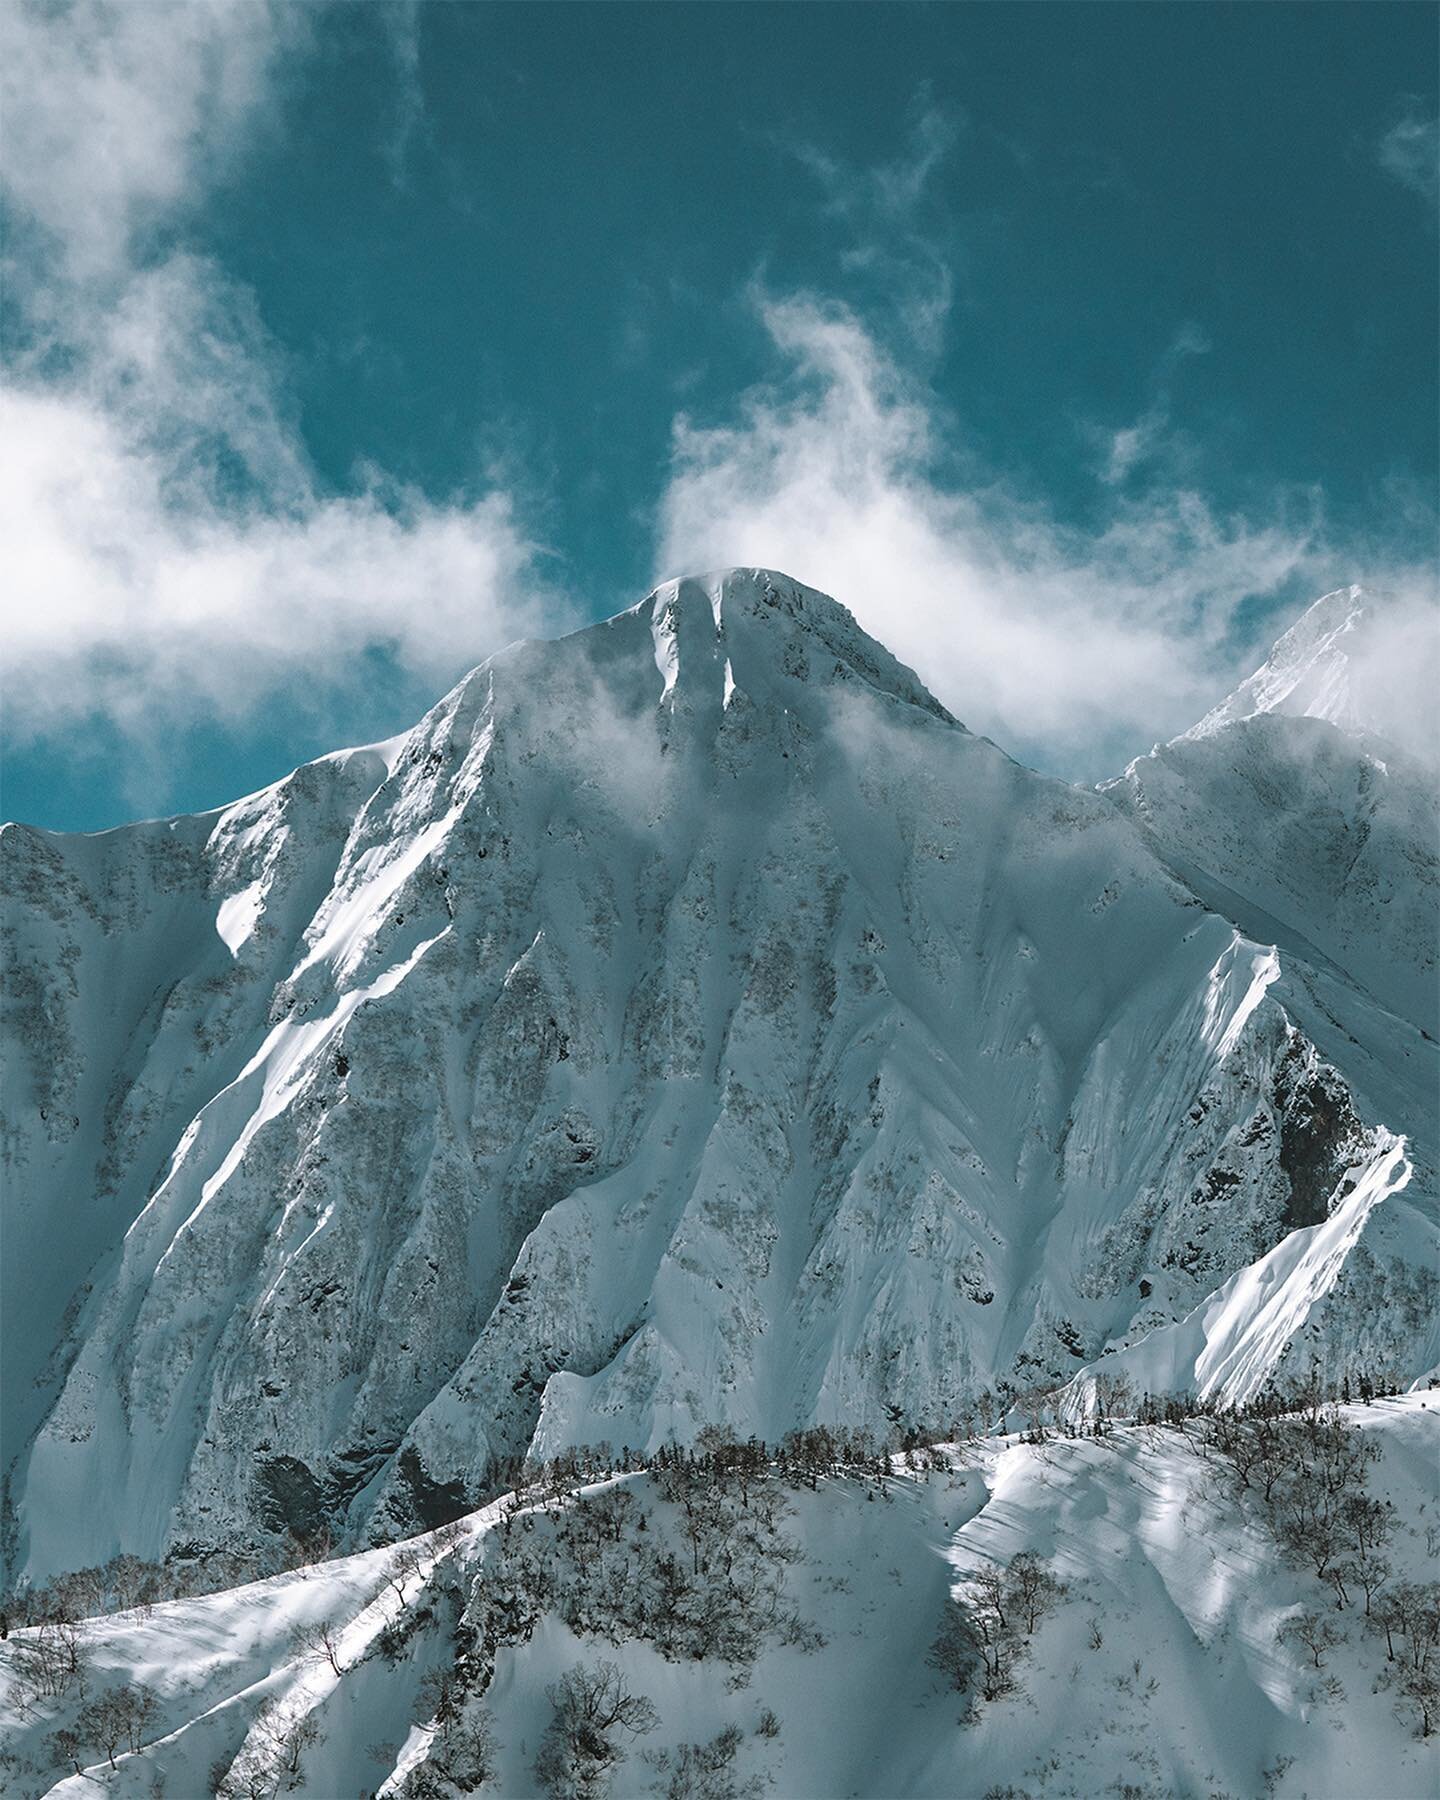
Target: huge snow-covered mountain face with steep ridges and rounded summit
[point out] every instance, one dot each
(687, 1021)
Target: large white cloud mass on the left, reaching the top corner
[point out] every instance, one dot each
(174, 553)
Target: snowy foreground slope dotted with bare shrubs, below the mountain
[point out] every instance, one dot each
(1160, 1671)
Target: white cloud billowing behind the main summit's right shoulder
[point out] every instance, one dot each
(1070, 649)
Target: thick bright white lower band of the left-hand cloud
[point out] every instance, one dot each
(154, 615)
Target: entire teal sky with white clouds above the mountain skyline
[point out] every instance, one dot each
(1075, 346)
